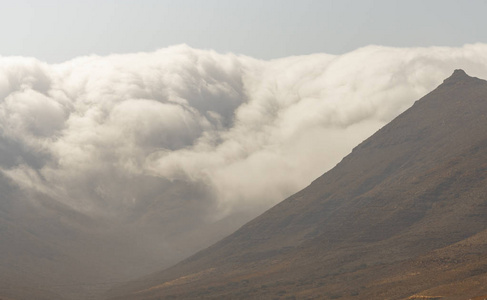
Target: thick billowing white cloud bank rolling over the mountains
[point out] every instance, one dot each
(197, 136)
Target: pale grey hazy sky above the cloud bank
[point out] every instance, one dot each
(58, 30)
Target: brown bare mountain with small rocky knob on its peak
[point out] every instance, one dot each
(404, 216)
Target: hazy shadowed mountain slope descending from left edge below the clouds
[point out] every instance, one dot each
(51, 251)
